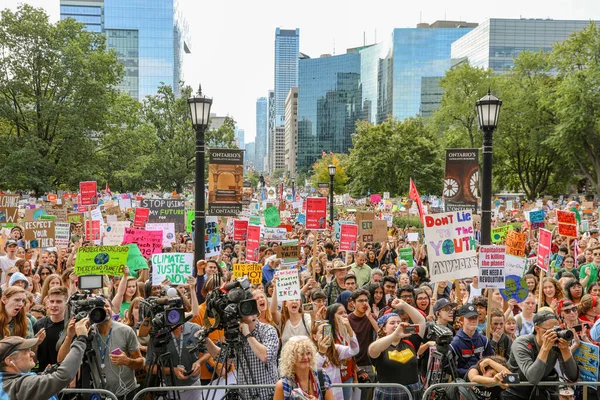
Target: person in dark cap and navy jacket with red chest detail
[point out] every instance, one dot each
(469, 346)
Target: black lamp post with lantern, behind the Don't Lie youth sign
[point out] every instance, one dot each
(488, 109)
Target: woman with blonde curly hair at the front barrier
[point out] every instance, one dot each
(298, 370)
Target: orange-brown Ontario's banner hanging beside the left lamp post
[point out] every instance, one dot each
(225, 181)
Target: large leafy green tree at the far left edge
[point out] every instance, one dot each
(56, 83)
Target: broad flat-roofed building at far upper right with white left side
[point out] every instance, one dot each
(496, 42)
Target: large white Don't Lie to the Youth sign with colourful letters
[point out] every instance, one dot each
(451, 245)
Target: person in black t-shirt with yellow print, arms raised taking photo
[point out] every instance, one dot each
(394, 353)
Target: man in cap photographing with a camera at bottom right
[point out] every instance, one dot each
(535, 356)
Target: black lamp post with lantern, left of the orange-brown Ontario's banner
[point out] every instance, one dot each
(200, 114)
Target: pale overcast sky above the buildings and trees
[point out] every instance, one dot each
(233, 40)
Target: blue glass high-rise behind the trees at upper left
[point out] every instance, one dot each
(149, 37)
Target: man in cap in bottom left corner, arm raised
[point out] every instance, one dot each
(18, 359)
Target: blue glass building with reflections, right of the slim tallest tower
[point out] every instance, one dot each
(329, 104)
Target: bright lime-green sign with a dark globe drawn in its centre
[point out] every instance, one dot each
(101, 260)
